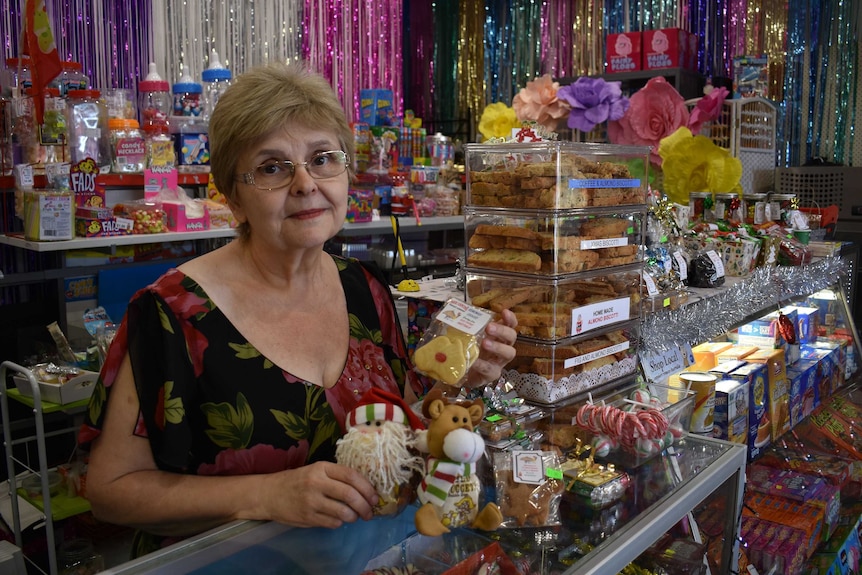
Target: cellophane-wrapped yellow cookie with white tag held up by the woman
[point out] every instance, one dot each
(451, 344)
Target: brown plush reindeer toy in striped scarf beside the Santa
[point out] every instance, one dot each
(449, 492)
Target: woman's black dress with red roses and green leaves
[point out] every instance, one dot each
(211, 404)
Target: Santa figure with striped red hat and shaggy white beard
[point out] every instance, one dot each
(380, 443)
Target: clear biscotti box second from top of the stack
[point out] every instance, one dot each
(529, 242)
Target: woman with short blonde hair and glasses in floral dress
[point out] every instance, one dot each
(227, 385)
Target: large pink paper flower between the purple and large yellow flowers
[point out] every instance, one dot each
(655, 112)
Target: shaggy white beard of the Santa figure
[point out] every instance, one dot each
(382, 455)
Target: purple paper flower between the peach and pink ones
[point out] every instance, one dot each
(593, 101)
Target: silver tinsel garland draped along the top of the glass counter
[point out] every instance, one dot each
(767, 289)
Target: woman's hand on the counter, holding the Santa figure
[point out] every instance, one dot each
(321, 494)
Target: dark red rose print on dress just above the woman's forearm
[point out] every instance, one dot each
(260, 458)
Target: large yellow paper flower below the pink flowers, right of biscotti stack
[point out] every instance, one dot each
(696, 164)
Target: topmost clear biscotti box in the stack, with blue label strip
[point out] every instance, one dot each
(555, 175)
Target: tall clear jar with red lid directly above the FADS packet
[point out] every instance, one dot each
(87, 126)
